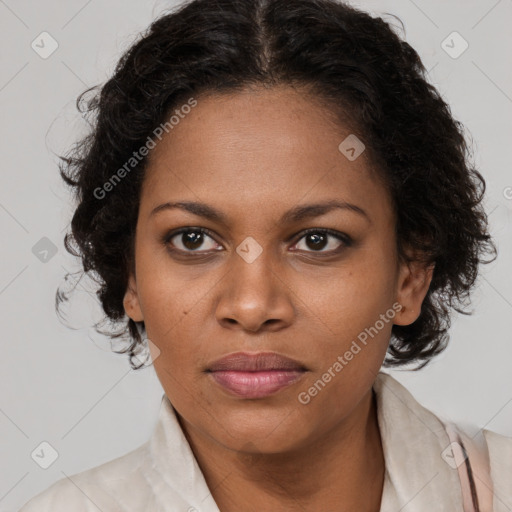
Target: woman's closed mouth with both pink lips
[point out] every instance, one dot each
(255, 375)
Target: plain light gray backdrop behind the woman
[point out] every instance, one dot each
(58, 385)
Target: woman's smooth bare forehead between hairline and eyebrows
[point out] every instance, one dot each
(257, 147)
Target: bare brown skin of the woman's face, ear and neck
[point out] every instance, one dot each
(254, 155)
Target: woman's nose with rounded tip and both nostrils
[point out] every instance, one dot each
(255, 296)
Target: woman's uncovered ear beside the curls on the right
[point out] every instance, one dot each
(413, 284)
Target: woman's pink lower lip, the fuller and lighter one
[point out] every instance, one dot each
(255, 384)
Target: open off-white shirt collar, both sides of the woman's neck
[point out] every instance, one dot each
(413, 439)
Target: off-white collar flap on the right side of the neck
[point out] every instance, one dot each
(413, 439)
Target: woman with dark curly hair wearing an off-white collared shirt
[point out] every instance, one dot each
(276, 203)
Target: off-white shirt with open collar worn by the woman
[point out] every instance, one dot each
(163, 474)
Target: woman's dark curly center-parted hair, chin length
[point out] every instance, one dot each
(357, 65)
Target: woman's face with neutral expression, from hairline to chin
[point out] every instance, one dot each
(269, 273)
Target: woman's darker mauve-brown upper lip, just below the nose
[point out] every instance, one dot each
(261, 361)
